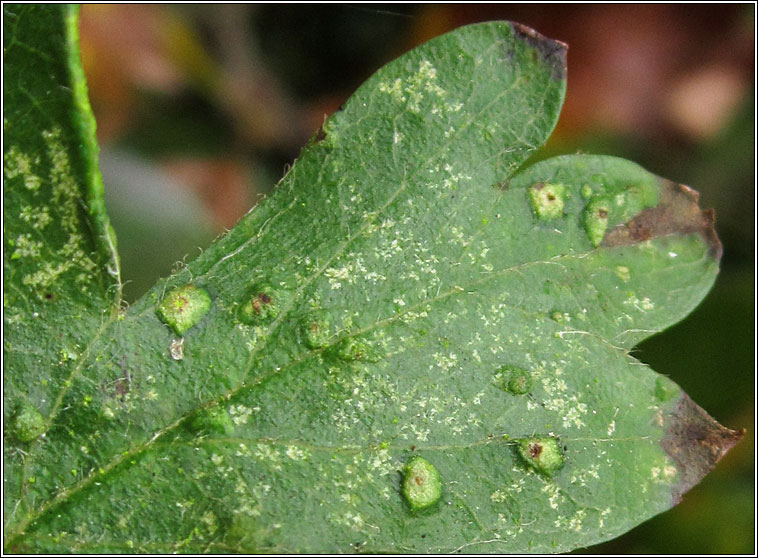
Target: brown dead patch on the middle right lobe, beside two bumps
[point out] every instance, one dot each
(677, 212)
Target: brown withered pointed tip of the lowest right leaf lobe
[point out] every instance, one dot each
(696, 442)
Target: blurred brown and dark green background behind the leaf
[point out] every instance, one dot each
(200, 107)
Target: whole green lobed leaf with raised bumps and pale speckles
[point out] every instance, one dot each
(409, 295)
